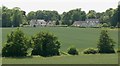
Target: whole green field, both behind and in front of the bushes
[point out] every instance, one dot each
(80, 38)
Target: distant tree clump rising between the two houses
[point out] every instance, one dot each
(73, 15)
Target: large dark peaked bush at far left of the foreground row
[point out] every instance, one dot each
(16, 45)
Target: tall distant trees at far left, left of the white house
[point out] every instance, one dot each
(13, 17)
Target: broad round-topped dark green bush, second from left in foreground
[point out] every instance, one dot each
(46, 44)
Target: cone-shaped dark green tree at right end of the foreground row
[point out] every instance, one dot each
(105, 44)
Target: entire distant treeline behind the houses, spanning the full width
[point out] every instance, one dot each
(15, 17)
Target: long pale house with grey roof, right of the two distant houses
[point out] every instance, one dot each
(87, 23)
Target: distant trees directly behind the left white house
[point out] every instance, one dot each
(44, 15)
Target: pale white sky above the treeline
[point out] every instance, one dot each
(61, 5)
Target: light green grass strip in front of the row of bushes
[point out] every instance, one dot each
(80, 59)
